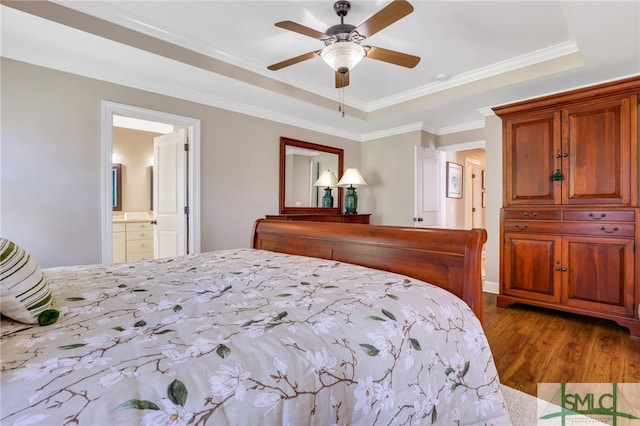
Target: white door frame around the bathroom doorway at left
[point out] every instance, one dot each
(109, 109)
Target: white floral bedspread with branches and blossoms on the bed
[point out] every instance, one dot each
(248, 337)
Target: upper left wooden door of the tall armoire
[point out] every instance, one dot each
(532, 145)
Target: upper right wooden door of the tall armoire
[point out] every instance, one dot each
(595, 153)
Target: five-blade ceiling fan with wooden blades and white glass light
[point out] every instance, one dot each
(343, 49)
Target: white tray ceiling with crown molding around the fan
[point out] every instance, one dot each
(216, 53)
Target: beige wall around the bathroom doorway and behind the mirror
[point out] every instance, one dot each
(51, 158)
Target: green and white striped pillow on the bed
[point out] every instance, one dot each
(24, 291)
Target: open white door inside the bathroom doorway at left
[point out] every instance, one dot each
(170, 204)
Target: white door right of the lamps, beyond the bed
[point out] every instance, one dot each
(429, 187)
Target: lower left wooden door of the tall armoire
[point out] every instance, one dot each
(529, 268)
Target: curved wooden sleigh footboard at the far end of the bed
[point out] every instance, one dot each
(448, 258)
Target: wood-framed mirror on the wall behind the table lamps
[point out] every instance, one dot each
(301, 164)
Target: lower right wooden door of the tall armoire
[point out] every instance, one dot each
(599, 274)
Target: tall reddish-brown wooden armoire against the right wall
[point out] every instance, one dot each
(570, 224)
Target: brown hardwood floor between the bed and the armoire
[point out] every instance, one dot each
(535, 345)
